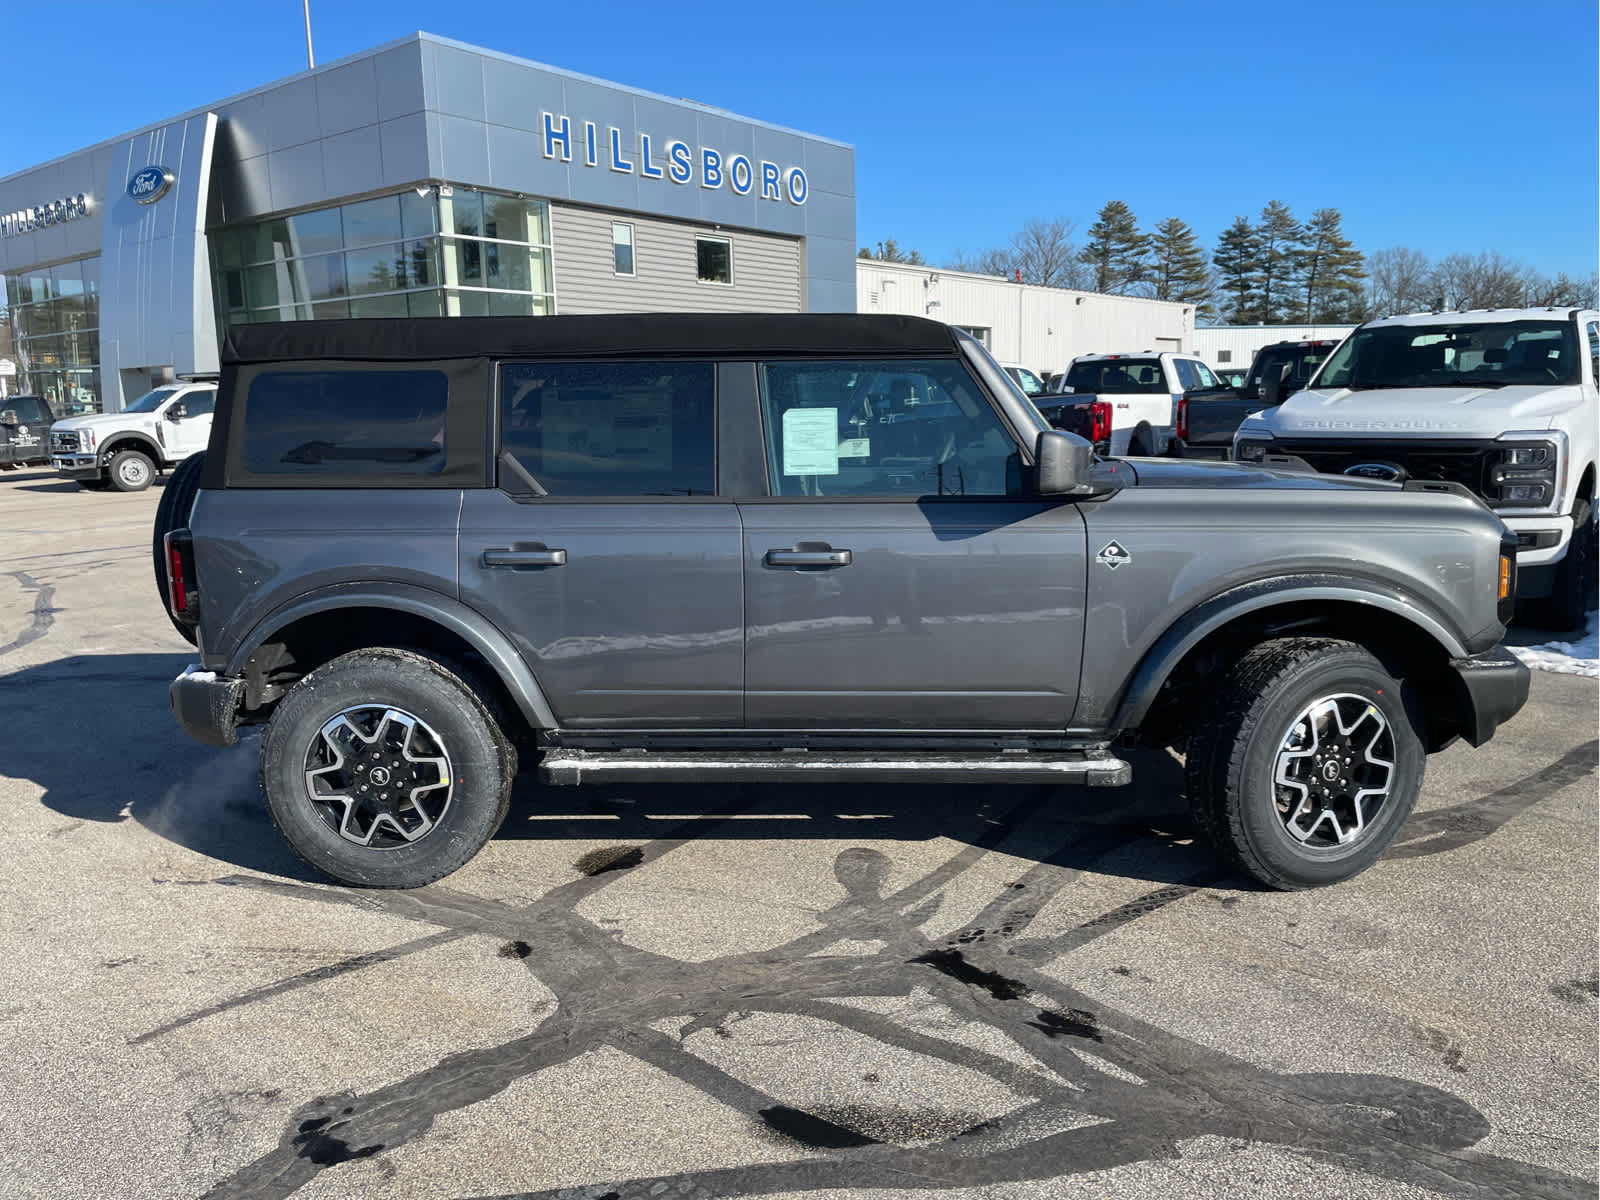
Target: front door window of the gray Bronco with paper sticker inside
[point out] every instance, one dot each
(884, 430)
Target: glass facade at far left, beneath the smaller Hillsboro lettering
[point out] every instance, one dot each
(55, 334)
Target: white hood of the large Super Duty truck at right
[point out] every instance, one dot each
(1422, 412)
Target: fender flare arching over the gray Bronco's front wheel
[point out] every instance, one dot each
(1212, 615)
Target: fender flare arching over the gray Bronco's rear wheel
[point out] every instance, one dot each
(468, 625)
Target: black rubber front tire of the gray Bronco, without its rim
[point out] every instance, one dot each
(1233, 761)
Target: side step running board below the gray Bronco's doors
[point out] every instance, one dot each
(1057, 767)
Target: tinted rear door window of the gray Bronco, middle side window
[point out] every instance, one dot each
(609, 430)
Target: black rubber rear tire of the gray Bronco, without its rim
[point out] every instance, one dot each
(479, 754)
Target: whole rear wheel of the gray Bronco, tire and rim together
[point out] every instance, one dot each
(385, 770)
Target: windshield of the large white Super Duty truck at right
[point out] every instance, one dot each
(1455, 356)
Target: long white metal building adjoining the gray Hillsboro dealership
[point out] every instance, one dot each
(1042, 329)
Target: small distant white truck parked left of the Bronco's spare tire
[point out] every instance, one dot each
(126, 450)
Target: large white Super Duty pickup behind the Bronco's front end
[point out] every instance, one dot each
(1502, 402)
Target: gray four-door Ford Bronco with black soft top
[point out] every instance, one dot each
(791, 548)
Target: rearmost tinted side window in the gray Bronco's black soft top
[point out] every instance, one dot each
(346, 423)
